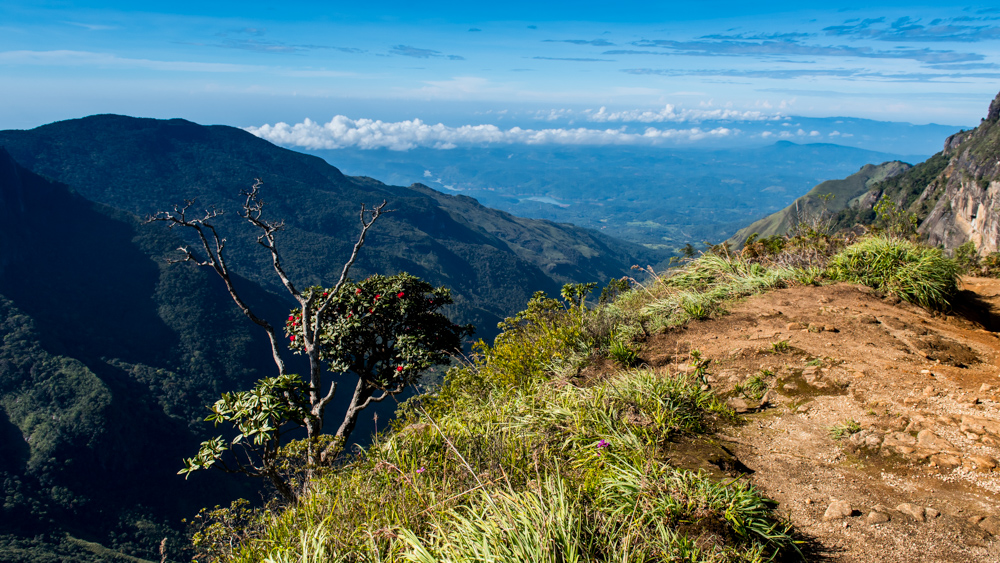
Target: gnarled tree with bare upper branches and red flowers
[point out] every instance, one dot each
(384, 330)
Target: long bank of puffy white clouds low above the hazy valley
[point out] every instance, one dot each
(343, 132)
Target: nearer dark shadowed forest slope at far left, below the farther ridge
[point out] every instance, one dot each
(108, 357)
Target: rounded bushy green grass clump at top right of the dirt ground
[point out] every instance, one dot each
(914, 273)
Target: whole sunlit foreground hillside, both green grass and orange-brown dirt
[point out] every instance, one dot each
(734, 409)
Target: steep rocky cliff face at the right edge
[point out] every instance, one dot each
(966, 195)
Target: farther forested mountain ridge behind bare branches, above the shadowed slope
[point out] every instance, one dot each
(493, 261)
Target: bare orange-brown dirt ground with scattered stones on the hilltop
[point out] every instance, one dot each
(878, 431)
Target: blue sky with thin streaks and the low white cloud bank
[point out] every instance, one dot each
(456, 72)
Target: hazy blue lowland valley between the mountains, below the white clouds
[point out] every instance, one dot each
(657, 196)
